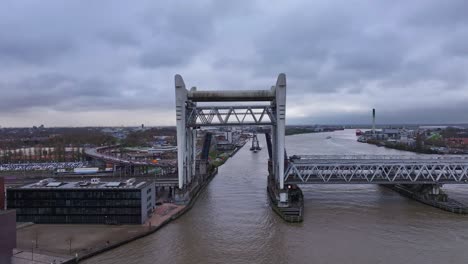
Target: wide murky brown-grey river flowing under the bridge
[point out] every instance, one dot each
(232, 222)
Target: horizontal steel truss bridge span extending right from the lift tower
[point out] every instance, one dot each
(377, 170)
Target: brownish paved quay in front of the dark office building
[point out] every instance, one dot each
(67, 243)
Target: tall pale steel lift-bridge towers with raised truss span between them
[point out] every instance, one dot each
(258, 108)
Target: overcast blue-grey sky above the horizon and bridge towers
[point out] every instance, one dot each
(79, 63)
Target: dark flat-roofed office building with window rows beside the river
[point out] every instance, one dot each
(93, 202)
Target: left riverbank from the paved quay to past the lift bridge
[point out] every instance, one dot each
(80, 242)
